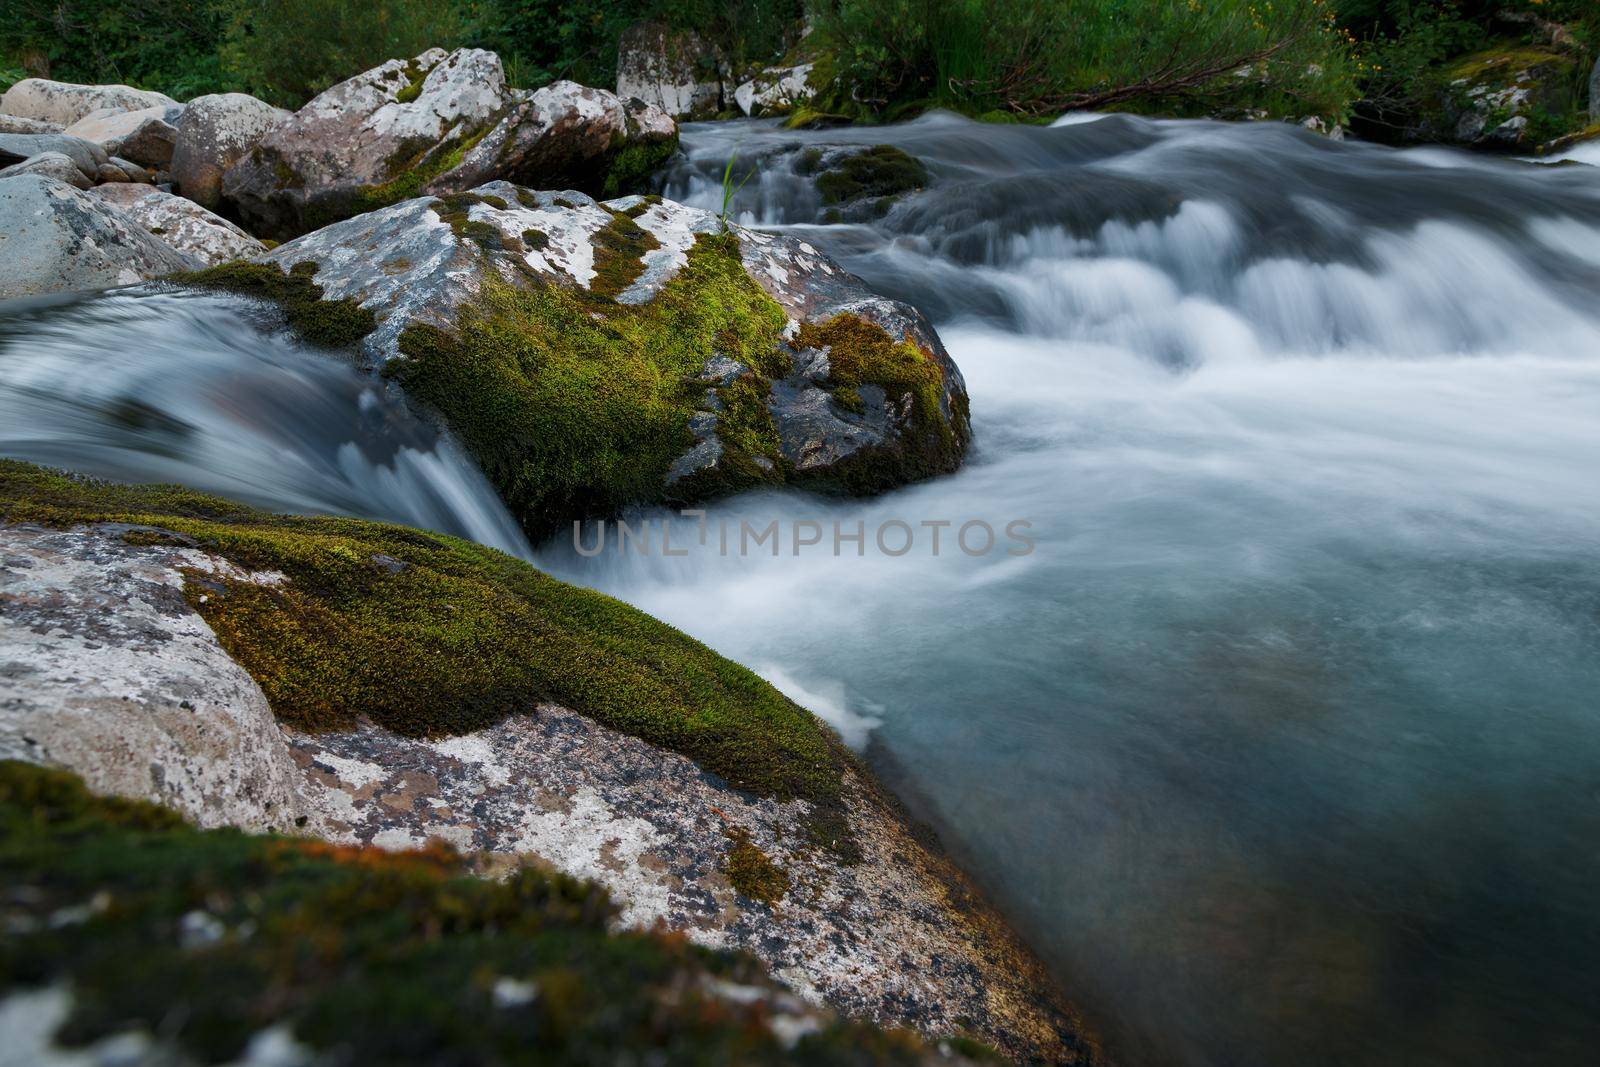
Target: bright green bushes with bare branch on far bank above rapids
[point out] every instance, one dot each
(1044, 57)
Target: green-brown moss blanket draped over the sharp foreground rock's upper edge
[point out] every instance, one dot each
(457, 641)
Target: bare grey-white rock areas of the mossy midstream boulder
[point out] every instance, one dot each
(410, 266)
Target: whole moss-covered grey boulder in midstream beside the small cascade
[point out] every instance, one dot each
(598, 356)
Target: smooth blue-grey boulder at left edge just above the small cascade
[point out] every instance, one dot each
(58, 239)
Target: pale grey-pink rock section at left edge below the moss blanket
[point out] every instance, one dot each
(106, 669)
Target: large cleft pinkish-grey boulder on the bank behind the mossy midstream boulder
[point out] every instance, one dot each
(441, 122)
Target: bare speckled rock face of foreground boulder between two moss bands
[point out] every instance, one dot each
(111, 674)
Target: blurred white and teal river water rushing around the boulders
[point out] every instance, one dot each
(1282, 746)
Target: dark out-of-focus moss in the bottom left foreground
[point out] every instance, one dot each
(367, 957)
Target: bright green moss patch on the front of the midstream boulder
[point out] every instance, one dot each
(575, 406)
